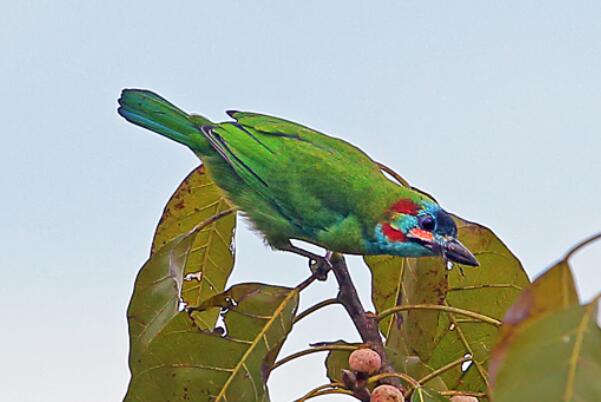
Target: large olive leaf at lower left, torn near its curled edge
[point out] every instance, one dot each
(171, 359)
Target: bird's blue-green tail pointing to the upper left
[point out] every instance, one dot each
(149, 110)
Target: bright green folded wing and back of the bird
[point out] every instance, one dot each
(313, 180)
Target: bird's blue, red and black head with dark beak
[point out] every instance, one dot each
(420, 227)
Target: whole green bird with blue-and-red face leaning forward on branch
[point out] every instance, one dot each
(293, 182)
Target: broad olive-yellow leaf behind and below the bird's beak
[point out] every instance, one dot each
(489, 289)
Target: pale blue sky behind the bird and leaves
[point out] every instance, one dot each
(493, 107)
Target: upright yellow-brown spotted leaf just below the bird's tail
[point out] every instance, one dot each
(211, 259)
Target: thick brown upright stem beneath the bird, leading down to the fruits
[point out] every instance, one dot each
(366, 324)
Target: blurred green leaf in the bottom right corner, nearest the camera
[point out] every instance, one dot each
(553, 358)
